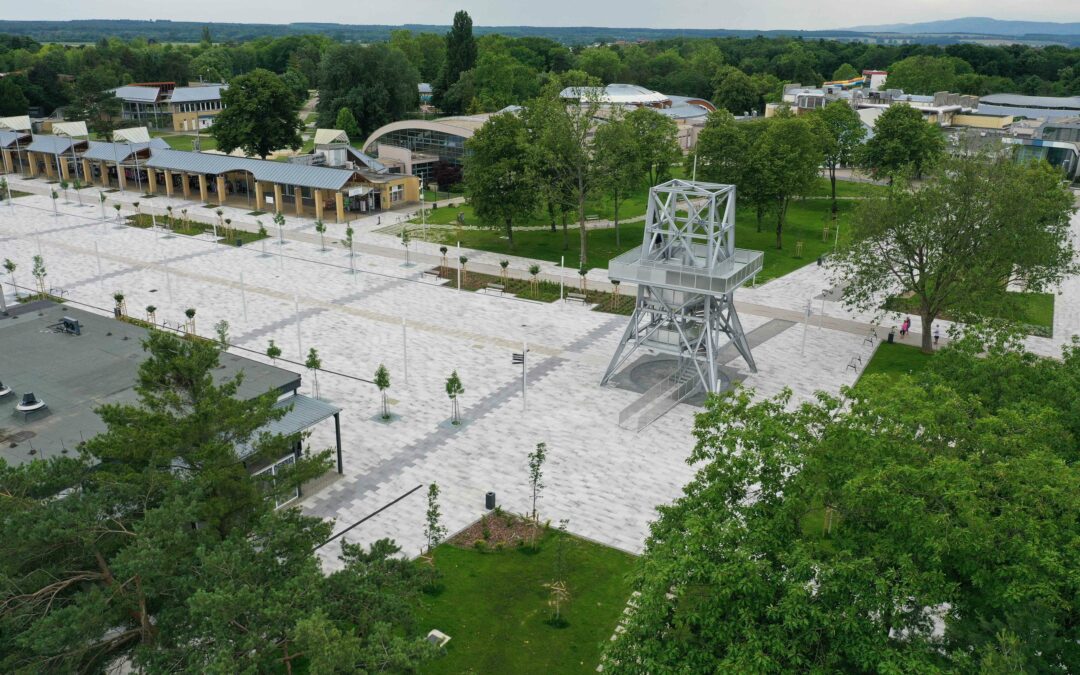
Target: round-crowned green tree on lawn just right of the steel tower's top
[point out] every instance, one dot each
(790, 154)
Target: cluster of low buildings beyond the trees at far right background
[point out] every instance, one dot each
(1046, 128)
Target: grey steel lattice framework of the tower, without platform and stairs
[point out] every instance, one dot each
(690, 228)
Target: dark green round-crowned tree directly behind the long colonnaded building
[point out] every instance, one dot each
(261, 116)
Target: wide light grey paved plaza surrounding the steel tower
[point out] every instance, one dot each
(607, 481)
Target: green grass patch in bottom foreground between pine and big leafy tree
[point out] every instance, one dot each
(494, 606)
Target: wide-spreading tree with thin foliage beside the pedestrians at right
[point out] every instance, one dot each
(958, 242)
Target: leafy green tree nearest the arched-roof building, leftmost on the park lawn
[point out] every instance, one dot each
(498, 178)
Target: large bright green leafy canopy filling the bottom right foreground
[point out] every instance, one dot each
(917, 525)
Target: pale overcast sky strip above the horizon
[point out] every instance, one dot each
(764, 15)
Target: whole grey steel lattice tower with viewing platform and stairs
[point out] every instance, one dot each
(687, 271)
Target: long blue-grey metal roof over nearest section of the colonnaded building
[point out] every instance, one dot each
(282, 173)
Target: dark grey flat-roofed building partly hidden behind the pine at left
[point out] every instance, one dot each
(74, 374)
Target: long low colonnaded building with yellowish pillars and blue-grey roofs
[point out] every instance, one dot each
(332, 182)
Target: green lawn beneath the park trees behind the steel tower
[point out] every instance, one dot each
(805, 223)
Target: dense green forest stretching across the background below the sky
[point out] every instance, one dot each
(510, 70)
